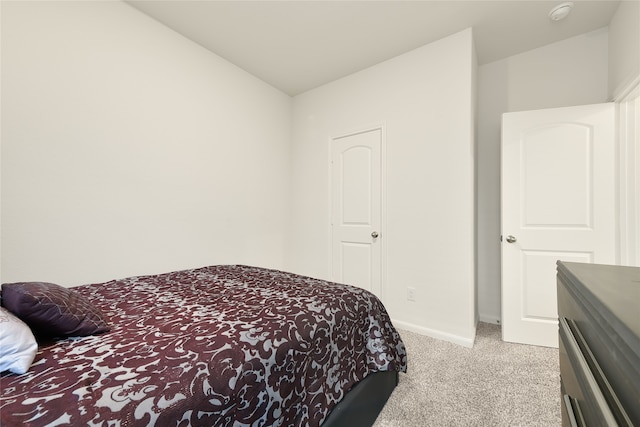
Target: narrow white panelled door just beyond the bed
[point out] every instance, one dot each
(356, 210)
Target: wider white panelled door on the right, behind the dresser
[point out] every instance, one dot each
(558, 203)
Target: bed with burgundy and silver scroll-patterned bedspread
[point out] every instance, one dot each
(227, 345)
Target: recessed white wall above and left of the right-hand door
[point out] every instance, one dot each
(570, 72)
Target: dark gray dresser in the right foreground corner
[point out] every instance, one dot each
(599, 316)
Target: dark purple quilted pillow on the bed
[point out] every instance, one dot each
(52, 310)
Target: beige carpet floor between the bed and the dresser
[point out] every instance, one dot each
(492, 384)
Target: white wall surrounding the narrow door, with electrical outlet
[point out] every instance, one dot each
(424, 100)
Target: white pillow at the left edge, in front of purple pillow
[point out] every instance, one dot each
(18, 346)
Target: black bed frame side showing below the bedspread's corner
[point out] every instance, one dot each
(361, 406)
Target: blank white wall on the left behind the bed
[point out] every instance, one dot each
(127, 149)
